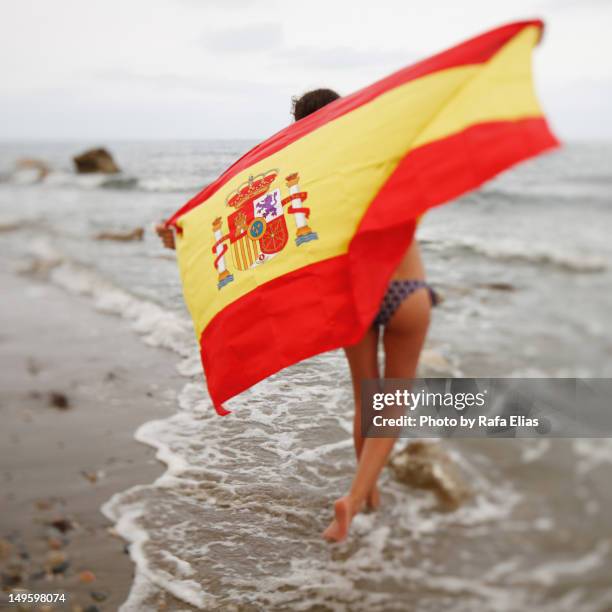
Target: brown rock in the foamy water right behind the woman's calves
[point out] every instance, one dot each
(426, 466)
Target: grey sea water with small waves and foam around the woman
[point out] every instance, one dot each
(525, 269)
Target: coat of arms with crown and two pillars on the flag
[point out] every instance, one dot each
(257, 228)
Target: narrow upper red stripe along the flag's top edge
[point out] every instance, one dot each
(474, 51)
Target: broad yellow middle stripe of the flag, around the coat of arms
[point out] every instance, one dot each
(363, 148)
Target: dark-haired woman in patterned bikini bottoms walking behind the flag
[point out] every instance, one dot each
(402, 322)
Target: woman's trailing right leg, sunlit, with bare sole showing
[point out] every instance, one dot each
(403, 340)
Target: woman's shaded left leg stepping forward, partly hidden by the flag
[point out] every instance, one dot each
(363, 363)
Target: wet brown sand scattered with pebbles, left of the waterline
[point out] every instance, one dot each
(60, 463)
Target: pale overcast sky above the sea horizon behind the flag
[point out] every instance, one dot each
(147, 69)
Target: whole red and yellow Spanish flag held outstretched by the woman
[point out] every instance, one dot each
(289, 252)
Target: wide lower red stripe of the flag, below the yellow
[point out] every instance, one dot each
(330, 304)
